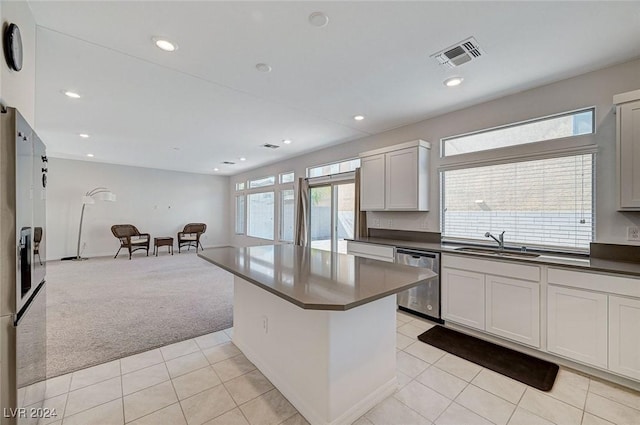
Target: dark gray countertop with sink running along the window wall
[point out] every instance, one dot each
(578, 262)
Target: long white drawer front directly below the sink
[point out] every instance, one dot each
(498, 268)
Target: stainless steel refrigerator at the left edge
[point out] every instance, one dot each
(23, 181)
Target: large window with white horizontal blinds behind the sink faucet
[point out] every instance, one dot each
(546, 203)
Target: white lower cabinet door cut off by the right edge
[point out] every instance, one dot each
(624, 336)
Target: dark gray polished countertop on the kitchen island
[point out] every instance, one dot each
(314, 279)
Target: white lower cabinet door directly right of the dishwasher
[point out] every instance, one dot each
(463, 297)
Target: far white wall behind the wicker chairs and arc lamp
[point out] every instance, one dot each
(158, 202)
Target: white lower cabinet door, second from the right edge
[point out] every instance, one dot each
(577, 325)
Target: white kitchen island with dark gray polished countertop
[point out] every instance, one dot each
(320, 326)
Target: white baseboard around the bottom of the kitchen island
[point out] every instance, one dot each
(305, 410)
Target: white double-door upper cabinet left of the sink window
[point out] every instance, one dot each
(396, 178)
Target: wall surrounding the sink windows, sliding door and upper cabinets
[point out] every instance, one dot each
(591, 89)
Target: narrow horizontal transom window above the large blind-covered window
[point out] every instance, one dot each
(554, 127)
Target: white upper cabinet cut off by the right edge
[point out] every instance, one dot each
(628, 149)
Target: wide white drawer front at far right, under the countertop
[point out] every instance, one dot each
(595, 281)
